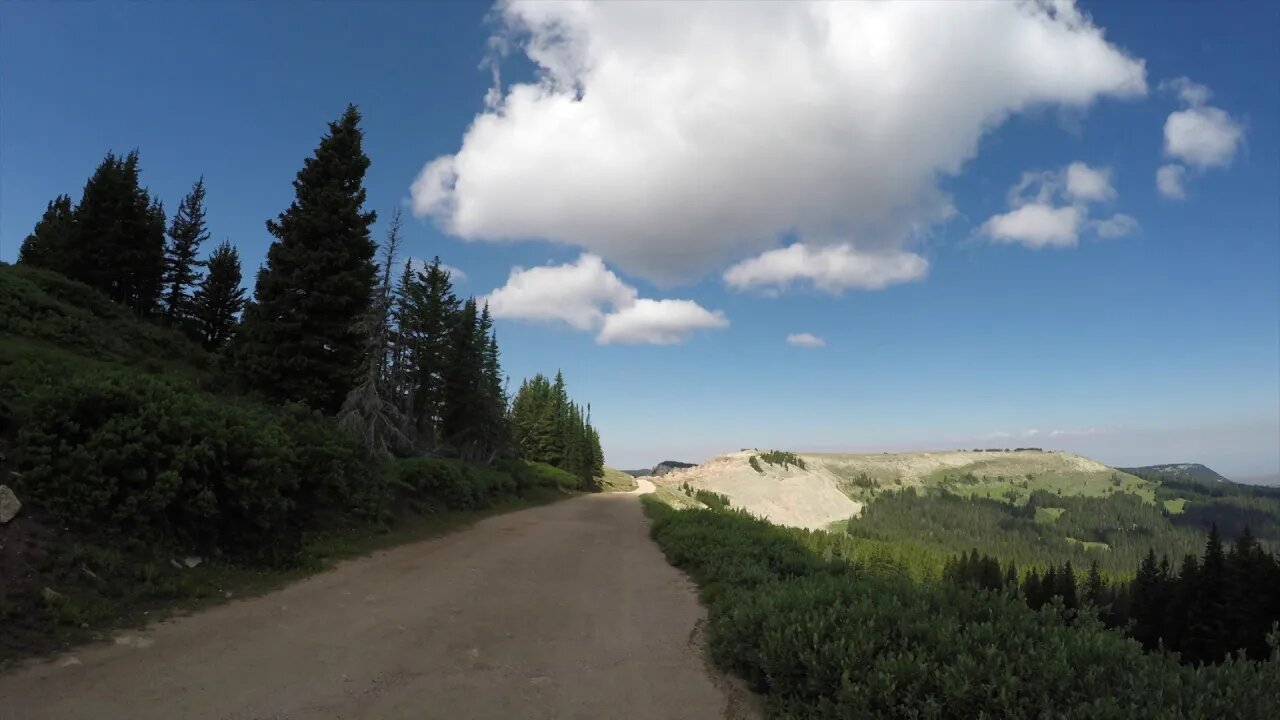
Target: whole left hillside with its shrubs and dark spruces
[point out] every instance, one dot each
(171, 439)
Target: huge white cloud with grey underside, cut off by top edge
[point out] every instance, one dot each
(675, 138)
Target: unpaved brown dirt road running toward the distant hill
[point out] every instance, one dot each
(560, 612)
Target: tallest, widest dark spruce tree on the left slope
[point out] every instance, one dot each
(299, 340)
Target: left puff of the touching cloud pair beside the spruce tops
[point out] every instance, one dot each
(575, 294)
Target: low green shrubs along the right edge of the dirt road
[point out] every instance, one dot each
(828, 634)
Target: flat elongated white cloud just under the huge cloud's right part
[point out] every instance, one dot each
(831, 270)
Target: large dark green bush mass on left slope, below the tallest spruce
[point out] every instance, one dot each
(129, 455)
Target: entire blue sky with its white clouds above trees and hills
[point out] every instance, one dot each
(877, 227)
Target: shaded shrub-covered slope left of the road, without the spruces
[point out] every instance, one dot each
(145, 487)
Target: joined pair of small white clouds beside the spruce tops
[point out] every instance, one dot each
(588, 297)
